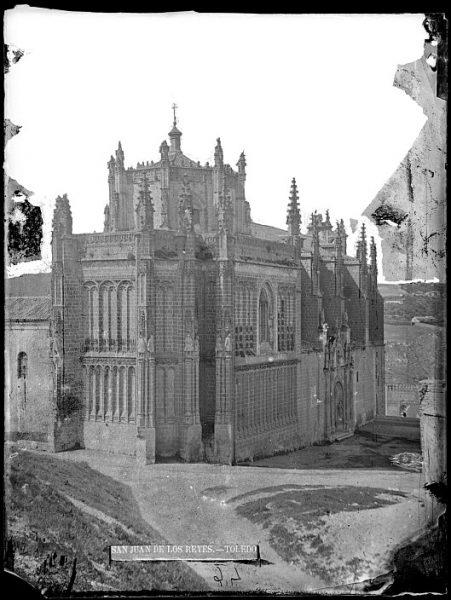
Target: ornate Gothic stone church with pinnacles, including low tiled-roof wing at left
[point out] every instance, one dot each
(186, 329)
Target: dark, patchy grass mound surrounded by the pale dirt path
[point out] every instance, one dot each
(297, 522)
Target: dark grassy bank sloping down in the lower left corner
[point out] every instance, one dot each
(42, 521)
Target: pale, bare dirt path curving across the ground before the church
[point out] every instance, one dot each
(201, 503)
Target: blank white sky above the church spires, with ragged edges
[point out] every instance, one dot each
(305, 96)
